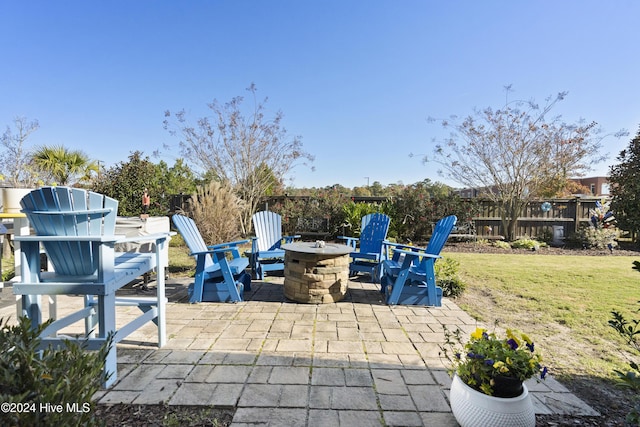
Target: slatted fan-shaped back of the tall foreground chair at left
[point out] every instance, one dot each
(64, 211)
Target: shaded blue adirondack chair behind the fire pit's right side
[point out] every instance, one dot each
(369, 248)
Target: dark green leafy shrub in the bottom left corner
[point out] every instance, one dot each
(53, 387)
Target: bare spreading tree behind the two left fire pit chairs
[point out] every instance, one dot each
(252, 153)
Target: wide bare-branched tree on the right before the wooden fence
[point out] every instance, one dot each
(517, 153)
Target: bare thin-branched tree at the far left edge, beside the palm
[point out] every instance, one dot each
(15, 157)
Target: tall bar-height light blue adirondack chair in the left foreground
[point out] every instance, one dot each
(76, 228)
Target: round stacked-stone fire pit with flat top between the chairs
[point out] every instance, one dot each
(314, 273)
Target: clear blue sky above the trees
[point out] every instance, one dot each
(355, 79)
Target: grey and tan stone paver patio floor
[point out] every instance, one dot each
(357, 362)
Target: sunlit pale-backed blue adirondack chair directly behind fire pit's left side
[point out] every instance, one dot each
(266, 254)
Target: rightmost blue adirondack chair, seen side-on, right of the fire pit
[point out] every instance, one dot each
(409, 276)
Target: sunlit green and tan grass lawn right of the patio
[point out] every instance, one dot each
(562, 301)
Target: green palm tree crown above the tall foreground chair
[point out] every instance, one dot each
(63, 165)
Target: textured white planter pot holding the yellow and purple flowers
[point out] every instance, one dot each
(472, 408)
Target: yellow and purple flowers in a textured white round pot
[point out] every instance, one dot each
(488, 377)
